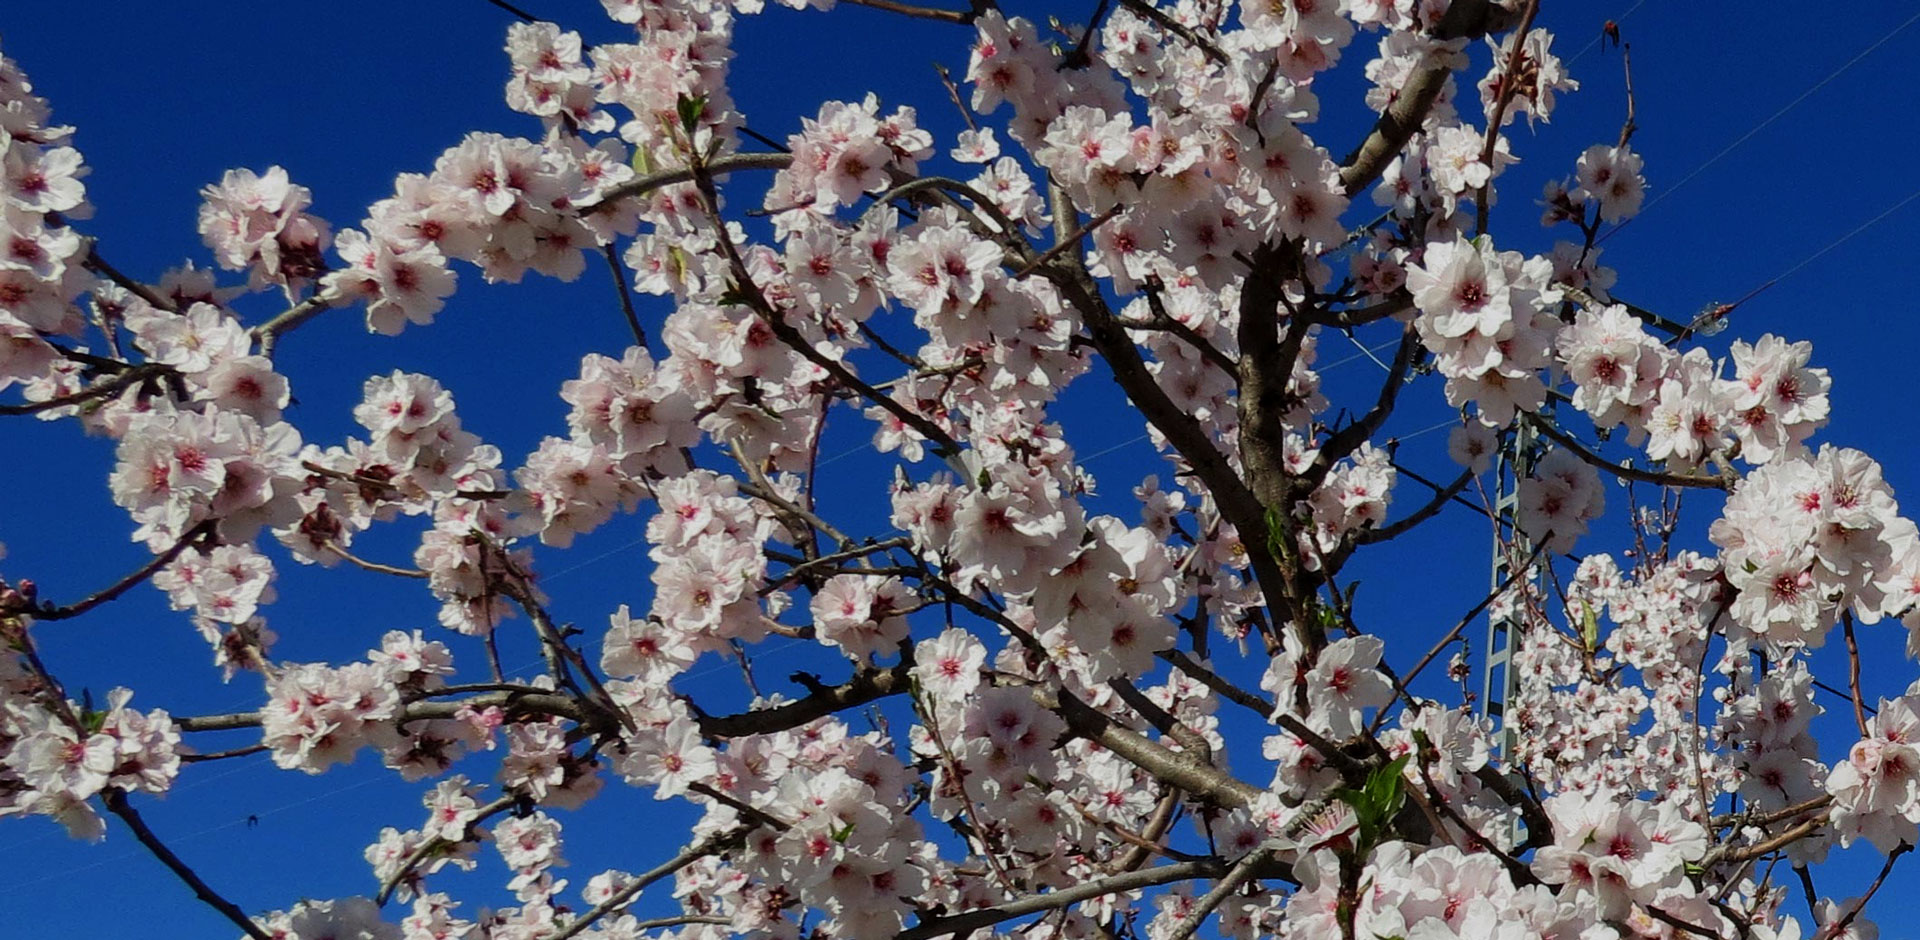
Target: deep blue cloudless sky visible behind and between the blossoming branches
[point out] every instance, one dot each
(347, 95)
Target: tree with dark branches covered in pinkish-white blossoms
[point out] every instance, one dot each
(1028, 730)
